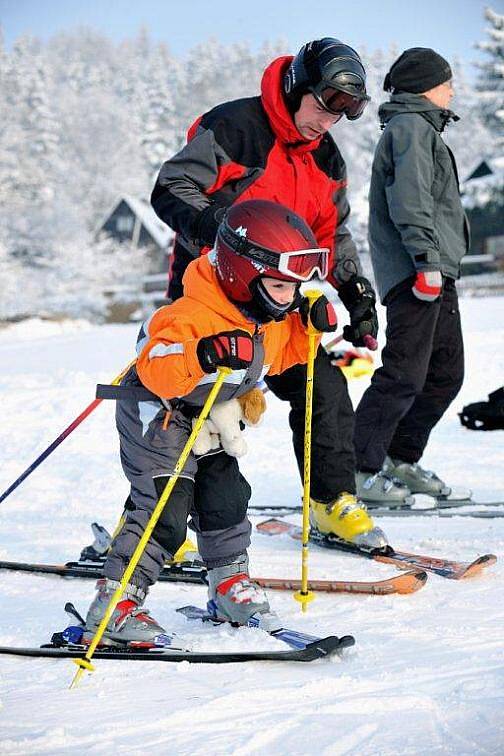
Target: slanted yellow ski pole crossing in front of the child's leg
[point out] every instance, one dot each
(85, 662)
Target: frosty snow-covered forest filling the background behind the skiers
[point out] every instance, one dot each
(87, 120)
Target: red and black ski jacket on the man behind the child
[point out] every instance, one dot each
(250, 149)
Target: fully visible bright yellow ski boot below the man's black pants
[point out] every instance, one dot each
(348, 520)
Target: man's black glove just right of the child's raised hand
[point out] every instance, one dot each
(359, 298)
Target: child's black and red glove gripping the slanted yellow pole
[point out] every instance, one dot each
(233, 349)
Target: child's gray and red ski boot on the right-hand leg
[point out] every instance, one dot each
(235, 598)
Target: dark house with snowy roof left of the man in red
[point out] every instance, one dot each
(132, 219)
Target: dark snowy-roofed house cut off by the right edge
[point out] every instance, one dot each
(483, 199)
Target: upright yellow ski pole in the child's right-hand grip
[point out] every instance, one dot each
(304, 596)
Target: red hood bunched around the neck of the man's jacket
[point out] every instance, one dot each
(277, 111)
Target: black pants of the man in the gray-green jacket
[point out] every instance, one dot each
(421, 374)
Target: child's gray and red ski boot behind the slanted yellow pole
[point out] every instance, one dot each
(129, 623)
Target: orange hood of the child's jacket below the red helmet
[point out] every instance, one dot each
(202, 285)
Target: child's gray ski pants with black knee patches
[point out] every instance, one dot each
(216, 501)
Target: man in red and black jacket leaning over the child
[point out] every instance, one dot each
(277, 147)
